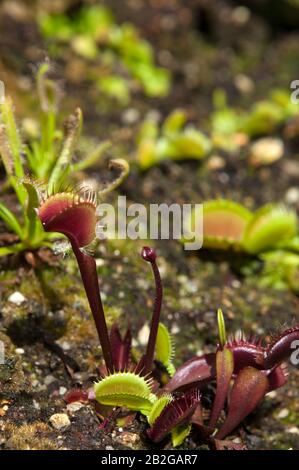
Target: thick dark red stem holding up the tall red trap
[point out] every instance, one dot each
(89, 276)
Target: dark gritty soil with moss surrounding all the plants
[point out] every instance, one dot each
(205, 47)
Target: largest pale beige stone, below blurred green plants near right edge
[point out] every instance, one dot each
(266, 151)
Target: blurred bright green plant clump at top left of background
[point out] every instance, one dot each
(122, 56)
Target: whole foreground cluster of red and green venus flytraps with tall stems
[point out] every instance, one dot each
(243, 370)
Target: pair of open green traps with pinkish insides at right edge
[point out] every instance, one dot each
(227, 224)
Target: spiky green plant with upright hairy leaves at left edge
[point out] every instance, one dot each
(47, 155)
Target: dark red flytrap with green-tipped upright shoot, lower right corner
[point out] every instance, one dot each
(254, 369)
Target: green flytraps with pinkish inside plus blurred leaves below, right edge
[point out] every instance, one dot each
(270, 234)
